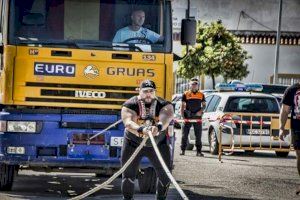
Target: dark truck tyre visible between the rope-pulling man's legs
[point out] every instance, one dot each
(147, 181)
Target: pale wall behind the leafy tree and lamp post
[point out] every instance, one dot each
(263, 11)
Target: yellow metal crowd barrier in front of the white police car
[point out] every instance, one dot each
(251, 132)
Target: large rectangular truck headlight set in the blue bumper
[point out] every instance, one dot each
(21, 126)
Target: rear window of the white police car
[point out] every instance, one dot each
(252, 105)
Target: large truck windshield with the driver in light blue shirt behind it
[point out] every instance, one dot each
(130, 25)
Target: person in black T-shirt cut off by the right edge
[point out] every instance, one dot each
(291, 104)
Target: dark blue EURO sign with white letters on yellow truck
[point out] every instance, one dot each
(54, 69)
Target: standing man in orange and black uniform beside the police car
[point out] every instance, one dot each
(193, 104)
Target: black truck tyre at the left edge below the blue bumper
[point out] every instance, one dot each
(7, 174)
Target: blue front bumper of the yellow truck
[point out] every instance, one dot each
(53, 144)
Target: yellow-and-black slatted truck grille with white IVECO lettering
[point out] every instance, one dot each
(81, 94)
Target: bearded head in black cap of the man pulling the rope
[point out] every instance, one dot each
(147, 91)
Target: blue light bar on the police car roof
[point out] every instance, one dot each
(239, 87)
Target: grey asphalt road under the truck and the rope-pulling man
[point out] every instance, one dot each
(260, 175)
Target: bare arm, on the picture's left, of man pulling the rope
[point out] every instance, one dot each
(129, 118)
